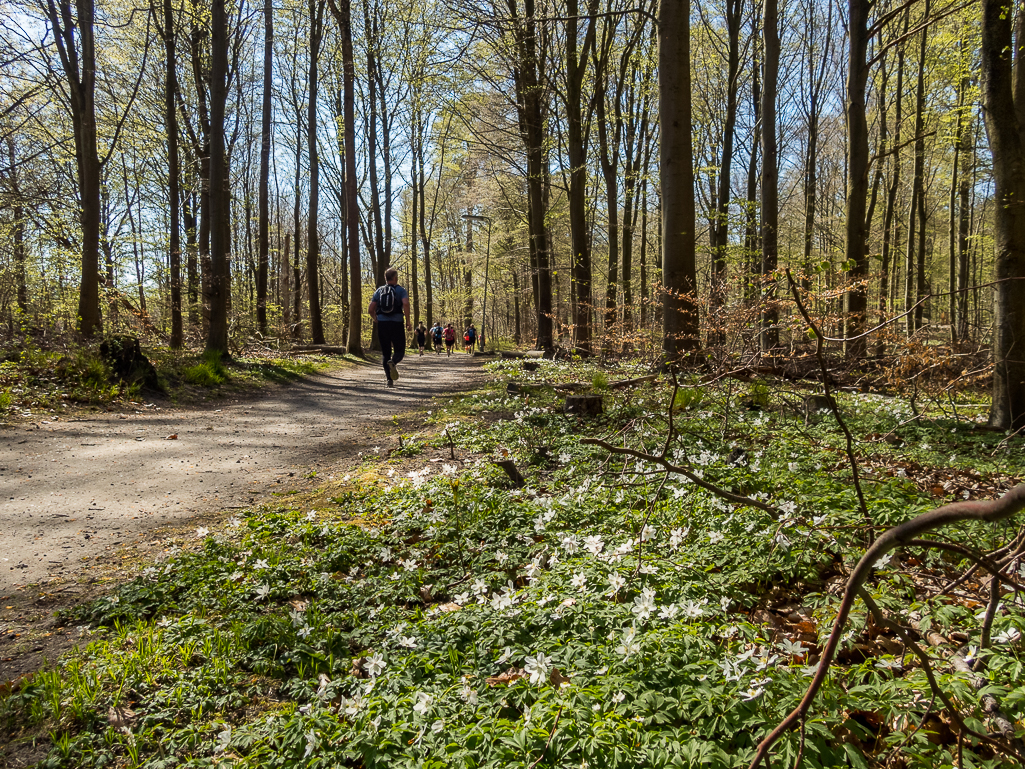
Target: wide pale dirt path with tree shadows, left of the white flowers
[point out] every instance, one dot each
(86, 499)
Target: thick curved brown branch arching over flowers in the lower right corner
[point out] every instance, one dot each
(992, 511)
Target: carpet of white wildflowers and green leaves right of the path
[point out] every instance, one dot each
(608, 611)
